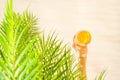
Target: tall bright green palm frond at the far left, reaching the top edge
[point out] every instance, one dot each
(18, 34)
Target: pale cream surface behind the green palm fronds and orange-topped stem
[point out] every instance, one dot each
(100, 17)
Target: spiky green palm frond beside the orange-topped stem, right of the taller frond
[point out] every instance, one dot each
(57, 59)
